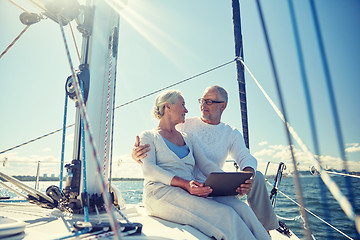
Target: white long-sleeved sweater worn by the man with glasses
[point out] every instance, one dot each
(217, 142)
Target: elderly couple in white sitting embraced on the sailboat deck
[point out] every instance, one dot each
(177, 156)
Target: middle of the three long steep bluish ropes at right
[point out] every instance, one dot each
(326, 208)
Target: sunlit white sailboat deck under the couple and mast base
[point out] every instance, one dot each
(52, 224)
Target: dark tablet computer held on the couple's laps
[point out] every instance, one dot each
(225, 183)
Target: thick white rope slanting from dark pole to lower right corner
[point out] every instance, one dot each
(331, 185)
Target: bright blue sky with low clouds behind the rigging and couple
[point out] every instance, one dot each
(163, 42)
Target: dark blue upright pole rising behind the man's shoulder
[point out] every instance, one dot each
(240, 69)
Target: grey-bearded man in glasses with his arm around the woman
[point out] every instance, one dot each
(217, 140)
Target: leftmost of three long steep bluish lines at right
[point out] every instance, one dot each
(279, 92)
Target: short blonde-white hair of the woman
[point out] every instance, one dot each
(170, 96)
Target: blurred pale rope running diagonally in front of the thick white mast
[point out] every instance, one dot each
(82, 108)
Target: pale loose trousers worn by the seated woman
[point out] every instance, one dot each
(219, 217)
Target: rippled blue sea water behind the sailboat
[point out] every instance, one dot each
(314, 199)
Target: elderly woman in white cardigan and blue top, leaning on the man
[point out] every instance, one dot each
(170, 191)
